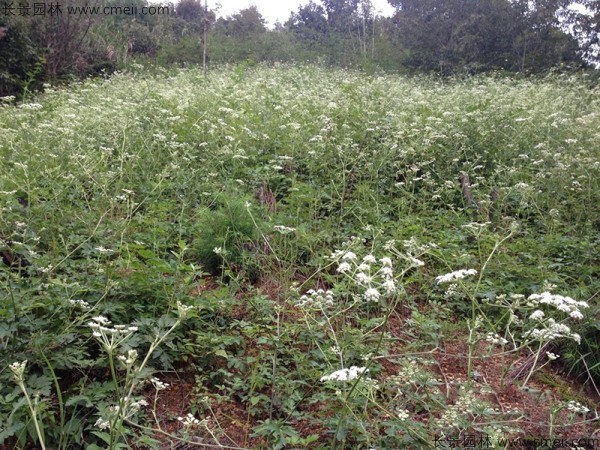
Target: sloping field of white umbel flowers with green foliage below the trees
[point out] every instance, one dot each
(299, 257)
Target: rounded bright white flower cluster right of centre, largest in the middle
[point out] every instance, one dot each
(375, 276)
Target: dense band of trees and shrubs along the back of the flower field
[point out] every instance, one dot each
(442, 36)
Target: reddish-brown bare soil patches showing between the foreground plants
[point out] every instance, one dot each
(230, 420)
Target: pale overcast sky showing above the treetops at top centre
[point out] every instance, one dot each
(279, 10)
